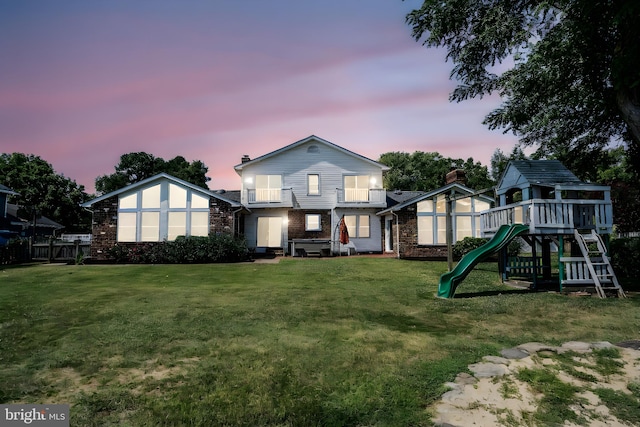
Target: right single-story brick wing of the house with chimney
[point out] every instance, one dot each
(417, 227)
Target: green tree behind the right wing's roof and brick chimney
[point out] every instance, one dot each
(422, 171)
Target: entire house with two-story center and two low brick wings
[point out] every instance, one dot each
(292, 201)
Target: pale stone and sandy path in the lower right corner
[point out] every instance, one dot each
(493, 396)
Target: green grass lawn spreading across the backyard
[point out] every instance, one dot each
(306, 342)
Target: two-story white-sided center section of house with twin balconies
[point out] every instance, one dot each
(302, 191)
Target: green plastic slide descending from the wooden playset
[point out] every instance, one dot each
(450, 281)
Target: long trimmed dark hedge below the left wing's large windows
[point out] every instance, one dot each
(184, 250)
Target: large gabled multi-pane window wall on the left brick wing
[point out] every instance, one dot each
(162, 212)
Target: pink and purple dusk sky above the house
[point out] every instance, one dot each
(83, 82)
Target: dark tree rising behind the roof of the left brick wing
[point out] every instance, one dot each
(135, 167)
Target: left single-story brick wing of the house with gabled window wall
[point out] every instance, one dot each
(159, 208)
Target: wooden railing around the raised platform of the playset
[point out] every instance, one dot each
(551, 216)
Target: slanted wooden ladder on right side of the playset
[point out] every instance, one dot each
(600, 269)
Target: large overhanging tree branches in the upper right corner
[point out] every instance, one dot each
(572, 80)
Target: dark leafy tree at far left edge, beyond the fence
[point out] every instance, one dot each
(43, 192)
